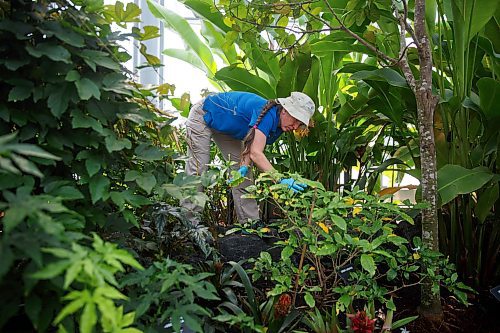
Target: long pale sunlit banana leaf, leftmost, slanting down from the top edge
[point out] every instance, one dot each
(183, 28)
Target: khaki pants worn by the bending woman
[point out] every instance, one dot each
(198, 139)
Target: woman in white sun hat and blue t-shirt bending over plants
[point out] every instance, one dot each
(241, 124)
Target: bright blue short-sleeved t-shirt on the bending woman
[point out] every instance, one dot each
(234, 113)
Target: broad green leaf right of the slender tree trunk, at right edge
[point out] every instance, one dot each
(455, 179)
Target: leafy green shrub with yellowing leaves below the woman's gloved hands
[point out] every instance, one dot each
(357, 229)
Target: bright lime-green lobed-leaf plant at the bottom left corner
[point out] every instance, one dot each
(95, 270)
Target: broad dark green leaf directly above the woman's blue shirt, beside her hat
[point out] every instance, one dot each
(240, 79)
